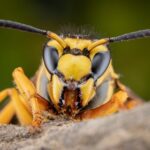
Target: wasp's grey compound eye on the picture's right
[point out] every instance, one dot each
(100, 63)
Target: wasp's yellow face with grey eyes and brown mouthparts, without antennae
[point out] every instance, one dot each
(74, 73)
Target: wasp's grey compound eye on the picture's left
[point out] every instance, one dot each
(50, 57)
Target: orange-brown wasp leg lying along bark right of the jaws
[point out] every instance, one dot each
(117, 100)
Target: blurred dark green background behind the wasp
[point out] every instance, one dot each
(109, 18)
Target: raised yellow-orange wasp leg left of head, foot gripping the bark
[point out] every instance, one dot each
(28, 91)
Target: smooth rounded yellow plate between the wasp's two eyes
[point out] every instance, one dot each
(74, 67)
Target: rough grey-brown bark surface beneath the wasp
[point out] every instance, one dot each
(122, 131)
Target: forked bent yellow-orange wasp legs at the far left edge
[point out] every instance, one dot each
(15, 106)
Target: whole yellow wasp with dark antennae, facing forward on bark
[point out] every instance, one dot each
(76, 79)
